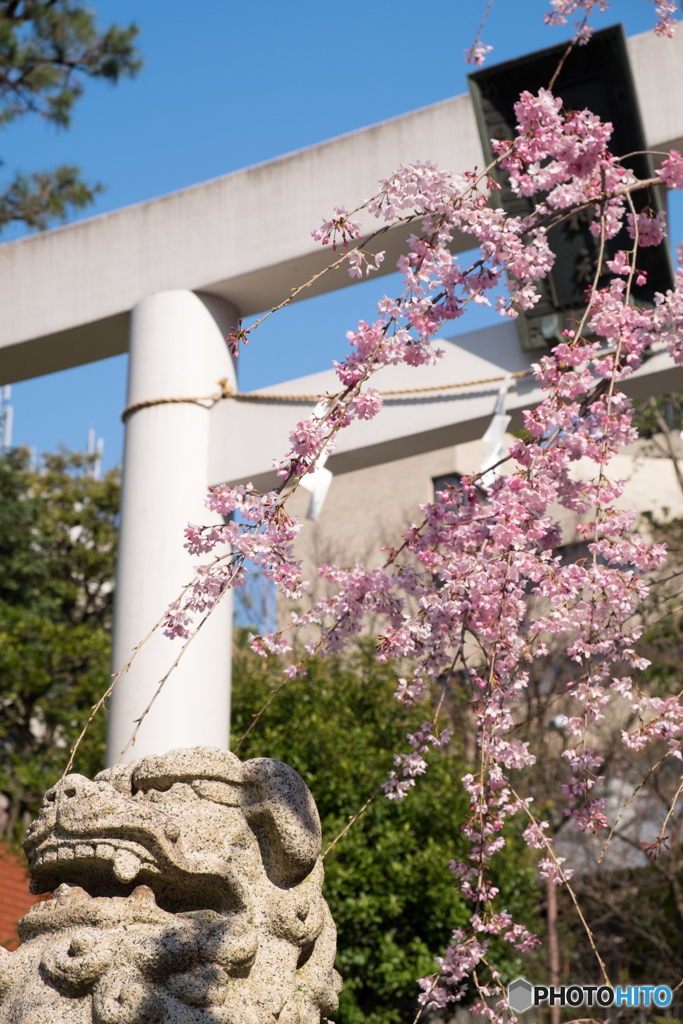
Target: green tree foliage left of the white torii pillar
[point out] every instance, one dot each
(58, 551)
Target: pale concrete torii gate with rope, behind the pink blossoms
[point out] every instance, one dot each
(165, 280)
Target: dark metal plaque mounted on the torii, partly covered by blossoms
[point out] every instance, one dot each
(596, 76)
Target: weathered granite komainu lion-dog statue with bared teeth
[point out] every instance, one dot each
(187, 890)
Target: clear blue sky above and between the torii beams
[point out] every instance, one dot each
(237, 83)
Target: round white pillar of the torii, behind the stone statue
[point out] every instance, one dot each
(178, 350)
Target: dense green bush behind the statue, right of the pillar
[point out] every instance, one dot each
(388, 881)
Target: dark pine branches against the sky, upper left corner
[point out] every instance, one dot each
(48, 49)
